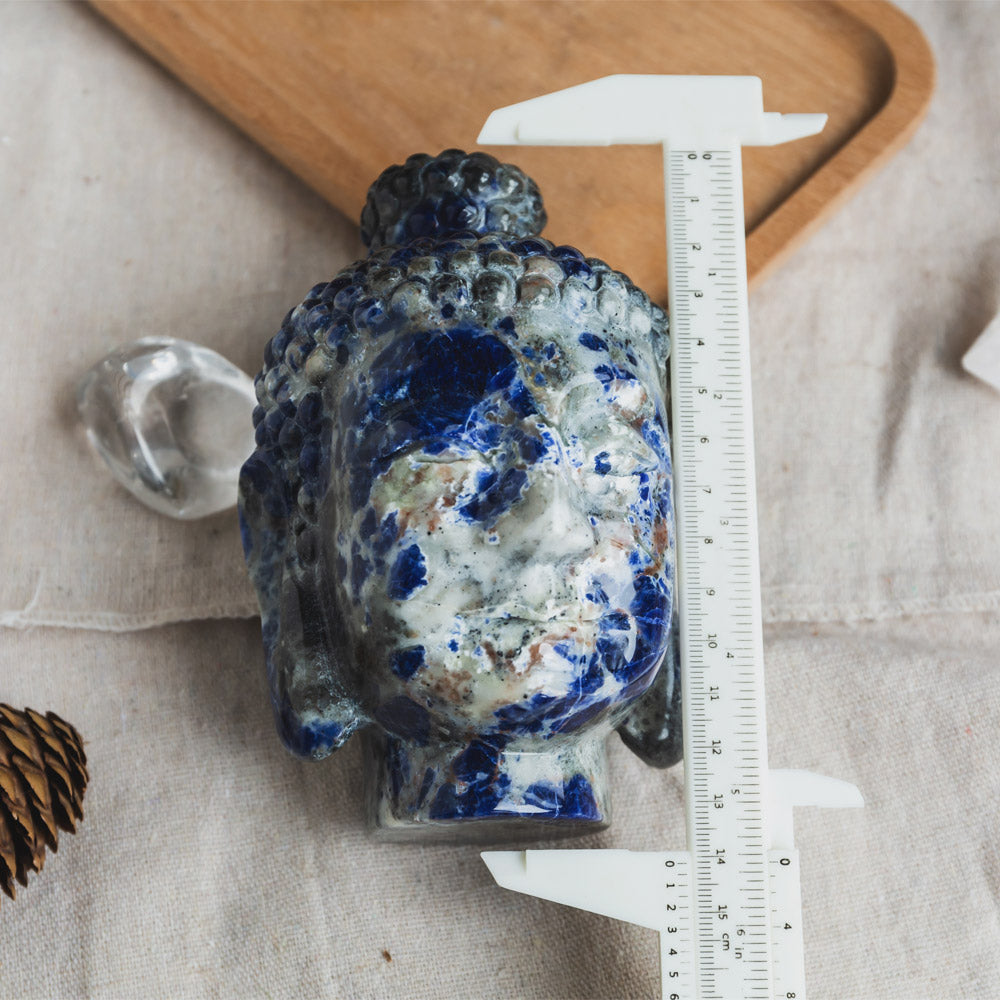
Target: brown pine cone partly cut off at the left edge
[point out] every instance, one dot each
(43, 775)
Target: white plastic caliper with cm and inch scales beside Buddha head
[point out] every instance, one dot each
(728, 909)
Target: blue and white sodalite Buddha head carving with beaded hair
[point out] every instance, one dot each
(458, 516)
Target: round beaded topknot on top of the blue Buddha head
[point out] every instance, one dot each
(435, 196)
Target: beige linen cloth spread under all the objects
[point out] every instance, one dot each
(213, 864)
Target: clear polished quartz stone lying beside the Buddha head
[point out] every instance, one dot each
(172, 420)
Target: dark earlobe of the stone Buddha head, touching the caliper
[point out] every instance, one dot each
(652, 730)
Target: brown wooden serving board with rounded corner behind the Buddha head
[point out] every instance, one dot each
(338, 91)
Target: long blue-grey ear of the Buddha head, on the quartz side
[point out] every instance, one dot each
(314, 712)
